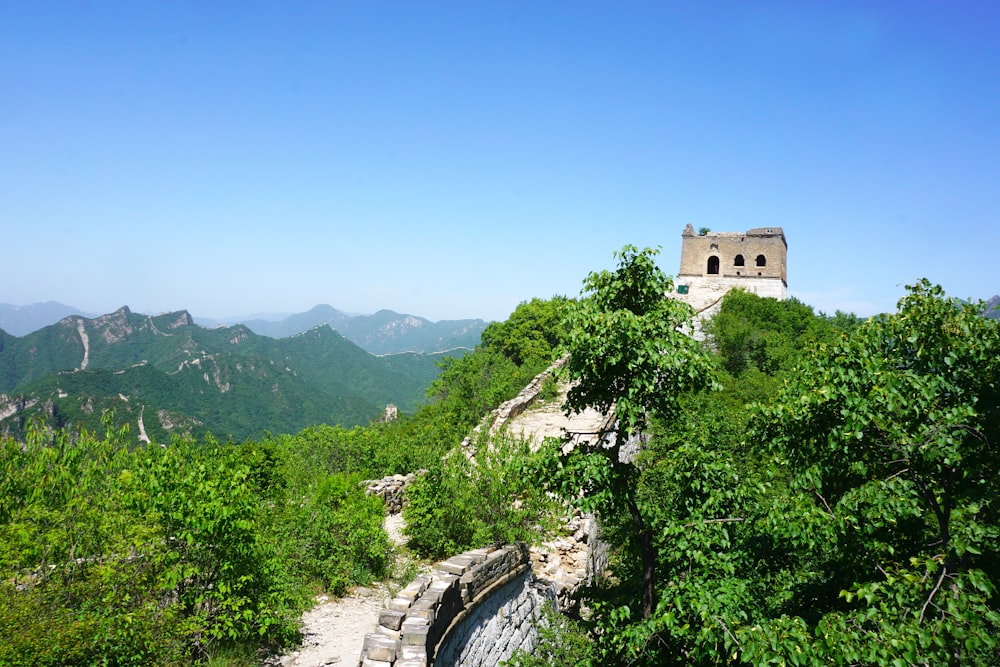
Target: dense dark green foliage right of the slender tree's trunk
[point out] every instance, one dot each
(850, 521)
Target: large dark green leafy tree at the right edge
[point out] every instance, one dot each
(890, 528)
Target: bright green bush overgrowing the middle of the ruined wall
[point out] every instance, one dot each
(461, 503)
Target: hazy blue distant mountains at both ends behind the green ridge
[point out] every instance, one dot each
(384, 332)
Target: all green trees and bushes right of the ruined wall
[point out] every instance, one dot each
(825, 496)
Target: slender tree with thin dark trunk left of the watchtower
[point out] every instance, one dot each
(627, 354)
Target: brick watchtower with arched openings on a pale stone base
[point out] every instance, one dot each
(715, 262)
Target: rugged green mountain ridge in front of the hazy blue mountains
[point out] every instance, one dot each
(165, 375)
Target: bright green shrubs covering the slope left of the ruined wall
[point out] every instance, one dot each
(207, 551)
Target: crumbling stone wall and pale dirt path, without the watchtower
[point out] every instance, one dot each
(474, 608)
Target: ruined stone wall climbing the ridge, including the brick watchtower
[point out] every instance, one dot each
(477, 608)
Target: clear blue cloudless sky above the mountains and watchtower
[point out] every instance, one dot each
(452, 159)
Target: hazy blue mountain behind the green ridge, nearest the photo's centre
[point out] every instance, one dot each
(385, 332)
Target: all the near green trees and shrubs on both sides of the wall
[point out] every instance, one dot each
(800, 489)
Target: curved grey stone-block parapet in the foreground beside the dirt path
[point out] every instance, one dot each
(476, 609)
